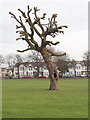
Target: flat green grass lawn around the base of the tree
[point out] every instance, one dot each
(30, 98)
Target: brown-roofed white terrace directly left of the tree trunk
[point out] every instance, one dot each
(30, 70)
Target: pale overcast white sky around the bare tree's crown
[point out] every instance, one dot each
(73, 13)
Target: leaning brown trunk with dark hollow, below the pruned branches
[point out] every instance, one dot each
(52, 70)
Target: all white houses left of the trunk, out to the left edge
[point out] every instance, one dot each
(24, 70)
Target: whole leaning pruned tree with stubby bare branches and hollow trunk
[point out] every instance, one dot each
(36, 26)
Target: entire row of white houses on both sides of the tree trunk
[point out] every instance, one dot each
(30, 70)
